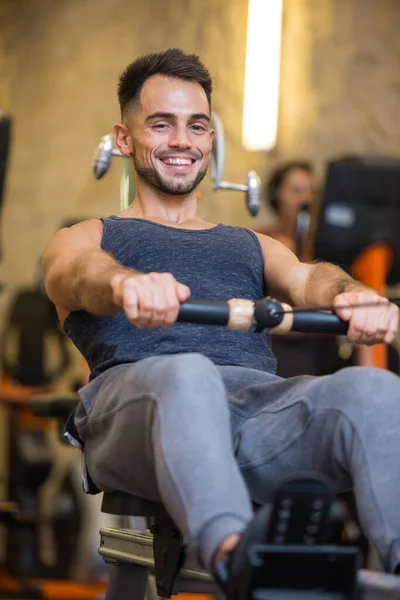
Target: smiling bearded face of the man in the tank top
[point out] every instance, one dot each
(171, 134)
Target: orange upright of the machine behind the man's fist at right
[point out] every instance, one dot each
(372, 267)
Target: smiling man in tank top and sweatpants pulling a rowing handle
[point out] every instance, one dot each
(192, 415)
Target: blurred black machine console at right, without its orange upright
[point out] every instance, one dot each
(360, 207)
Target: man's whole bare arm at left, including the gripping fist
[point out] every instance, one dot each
(78, 274)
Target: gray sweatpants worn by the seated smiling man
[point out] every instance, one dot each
(208, 440)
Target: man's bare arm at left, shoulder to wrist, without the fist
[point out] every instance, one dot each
(78, 273)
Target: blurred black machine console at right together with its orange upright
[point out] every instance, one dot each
(358, 227)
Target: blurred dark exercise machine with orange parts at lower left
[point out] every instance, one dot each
(31, 327)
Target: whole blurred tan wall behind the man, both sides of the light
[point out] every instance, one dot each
(59, 62)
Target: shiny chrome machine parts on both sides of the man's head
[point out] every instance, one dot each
(105, 151)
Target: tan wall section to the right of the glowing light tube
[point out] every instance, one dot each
(340, 82)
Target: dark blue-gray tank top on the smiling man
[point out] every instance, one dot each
(219, 263)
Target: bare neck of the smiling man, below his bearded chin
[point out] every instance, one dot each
(150, 203)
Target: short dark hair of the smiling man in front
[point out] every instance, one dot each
(171, 63)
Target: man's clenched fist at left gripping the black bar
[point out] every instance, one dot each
(149, 299)
